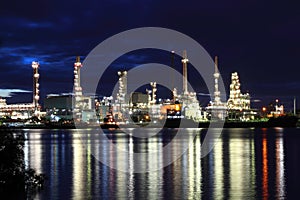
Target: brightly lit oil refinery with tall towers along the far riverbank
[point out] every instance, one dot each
(137, 107)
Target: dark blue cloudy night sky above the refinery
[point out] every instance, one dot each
(258, 39)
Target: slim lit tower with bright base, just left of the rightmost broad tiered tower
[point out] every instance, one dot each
(217, 109)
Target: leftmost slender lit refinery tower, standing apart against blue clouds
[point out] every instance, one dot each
(36, 96)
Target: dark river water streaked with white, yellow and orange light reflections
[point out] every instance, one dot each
(245, 163)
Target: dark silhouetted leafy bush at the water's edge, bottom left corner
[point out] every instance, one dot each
(15, 180)
